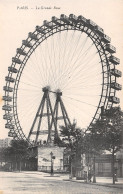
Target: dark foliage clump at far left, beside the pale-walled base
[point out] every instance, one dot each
(19, 156)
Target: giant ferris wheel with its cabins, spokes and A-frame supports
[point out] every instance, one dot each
(65, 70)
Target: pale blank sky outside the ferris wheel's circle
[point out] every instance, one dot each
(21, 16)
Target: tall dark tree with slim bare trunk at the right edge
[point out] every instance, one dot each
(111, 129)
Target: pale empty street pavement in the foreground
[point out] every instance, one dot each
(41, 183)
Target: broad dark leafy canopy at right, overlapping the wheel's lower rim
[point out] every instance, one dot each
(106, 133)
